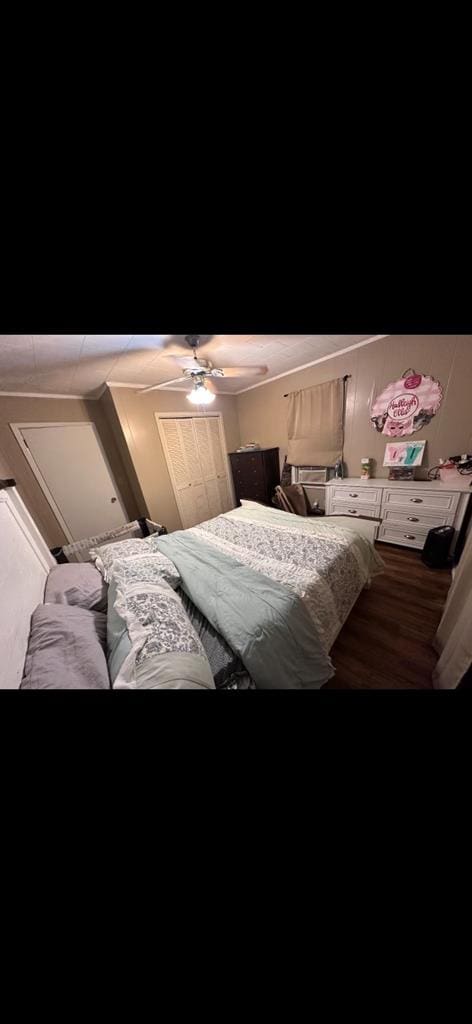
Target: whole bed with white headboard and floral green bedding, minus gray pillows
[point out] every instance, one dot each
(259, 596)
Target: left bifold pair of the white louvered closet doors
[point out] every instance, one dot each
(183, 459)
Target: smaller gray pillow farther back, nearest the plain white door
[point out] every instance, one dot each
(78, 583)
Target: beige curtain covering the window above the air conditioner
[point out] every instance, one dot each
(316, 425)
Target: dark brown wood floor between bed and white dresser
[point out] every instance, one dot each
(387, 643)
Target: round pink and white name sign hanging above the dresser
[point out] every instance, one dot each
(407, 406)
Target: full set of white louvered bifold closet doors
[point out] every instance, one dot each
(196, 458)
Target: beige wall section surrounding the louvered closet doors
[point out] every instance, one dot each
(137, 415)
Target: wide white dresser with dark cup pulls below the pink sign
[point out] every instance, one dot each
(407, 509)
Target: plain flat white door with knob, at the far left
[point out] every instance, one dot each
(73, 472)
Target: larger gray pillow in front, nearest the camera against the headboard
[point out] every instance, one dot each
(66, 650)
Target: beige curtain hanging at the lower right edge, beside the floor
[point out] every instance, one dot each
(454, 638)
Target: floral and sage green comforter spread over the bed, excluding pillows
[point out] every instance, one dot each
(277, 587)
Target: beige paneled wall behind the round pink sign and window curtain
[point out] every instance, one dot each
(263, 412)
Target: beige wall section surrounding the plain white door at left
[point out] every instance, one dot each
(14, 463)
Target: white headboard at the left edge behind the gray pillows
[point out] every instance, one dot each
(25, 564)
